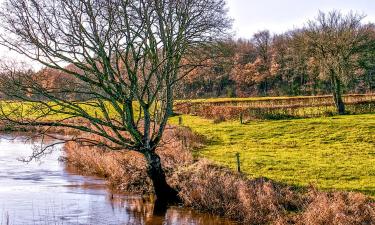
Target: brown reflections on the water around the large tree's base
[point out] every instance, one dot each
(141, 211)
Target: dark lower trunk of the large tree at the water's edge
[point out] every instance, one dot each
(164, 193)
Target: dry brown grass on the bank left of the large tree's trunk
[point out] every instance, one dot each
(124, 171)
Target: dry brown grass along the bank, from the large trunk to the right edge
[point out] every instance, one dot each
(217, 190)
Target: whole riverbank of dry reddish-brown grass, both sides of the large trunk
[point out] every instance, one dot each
(207, 187)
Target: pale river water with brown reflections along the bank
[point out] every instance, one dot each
(46, 192)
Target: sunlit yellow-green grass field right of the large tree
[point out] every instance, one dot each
(332, 153)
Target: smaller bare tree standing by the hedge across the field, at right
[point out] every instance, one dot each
(335, 41)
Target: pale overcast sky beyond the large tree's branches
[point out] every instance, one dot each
(277, 16)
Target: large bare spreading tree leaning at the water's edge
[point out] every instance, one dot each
(125, 58)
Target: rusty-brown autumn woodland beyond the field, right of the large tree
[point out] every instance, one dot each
(333, 53)
